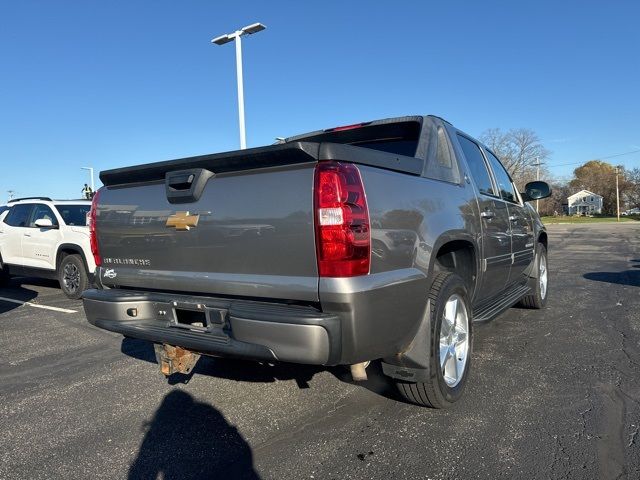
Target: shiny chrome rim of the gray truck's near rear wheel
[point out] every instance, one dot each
(454, 340)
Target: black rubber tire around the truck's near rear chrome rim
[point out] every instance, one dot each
(435, 392)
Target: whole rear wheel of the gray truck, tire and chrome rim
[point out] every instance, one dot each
(450, 347)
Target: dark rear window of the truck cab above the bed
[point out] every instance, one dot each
(399, 137)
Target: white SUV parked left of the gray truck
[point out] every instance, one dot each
(40, 237)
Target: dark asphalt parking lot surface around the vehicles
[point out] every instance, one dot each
(552, 394)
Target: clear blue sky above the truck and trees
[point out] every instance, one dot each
(110, 84)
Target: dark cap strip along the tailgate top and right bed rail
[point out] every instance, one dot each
(263, 157)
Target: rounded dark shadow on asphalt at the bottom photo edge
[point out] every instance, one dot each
(187, 439)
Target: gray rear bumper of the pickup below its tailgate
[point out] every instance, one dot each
(230, 328)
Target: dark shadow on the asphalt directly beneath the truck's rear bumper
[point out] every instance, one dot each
(250, 371)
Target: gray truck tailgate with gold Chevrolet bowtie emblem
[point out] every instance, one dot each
(248, 233)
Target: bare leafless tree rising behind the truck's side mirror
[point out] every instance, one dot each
(519, 150)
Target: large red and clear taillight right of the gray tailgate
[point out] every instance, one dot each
(343, 239)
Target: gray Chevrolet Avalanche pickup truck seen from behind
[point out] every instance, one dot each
(379, 241)
